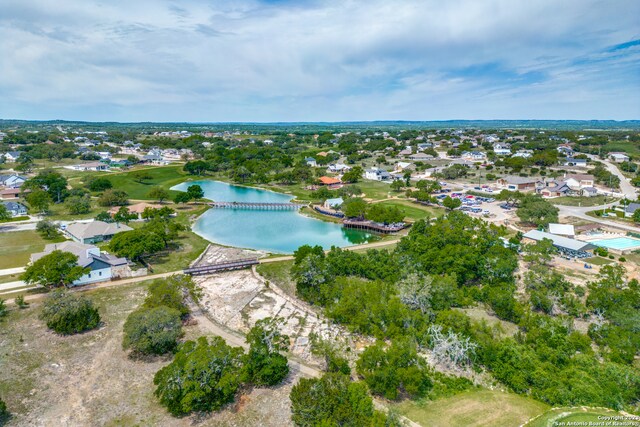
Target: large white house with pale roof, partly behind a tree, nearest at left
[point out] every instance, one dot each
(102, 266)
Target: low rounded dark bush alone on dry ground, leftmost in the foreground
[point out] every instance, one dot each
(67, 313)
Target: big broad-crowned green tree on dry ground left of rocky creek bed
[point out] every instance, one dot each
(203, 376)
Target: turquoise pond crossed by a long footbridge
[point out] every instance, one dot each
(271, 231)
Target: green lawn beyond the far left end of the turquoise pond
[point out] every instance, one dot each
(165, 177)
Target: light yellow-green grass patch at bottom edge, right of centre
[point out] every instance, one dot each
(474, 408)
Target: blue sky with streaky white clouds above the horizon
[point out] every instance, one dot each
(306, 60)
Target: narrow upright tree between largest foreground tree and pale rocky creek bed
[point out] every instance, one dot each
(265, 365)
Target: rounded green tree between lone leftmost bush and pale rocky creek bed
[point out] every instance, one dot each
(152, 330)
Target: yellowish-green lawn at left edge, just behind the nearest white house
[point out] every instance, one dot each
(17, 246)
